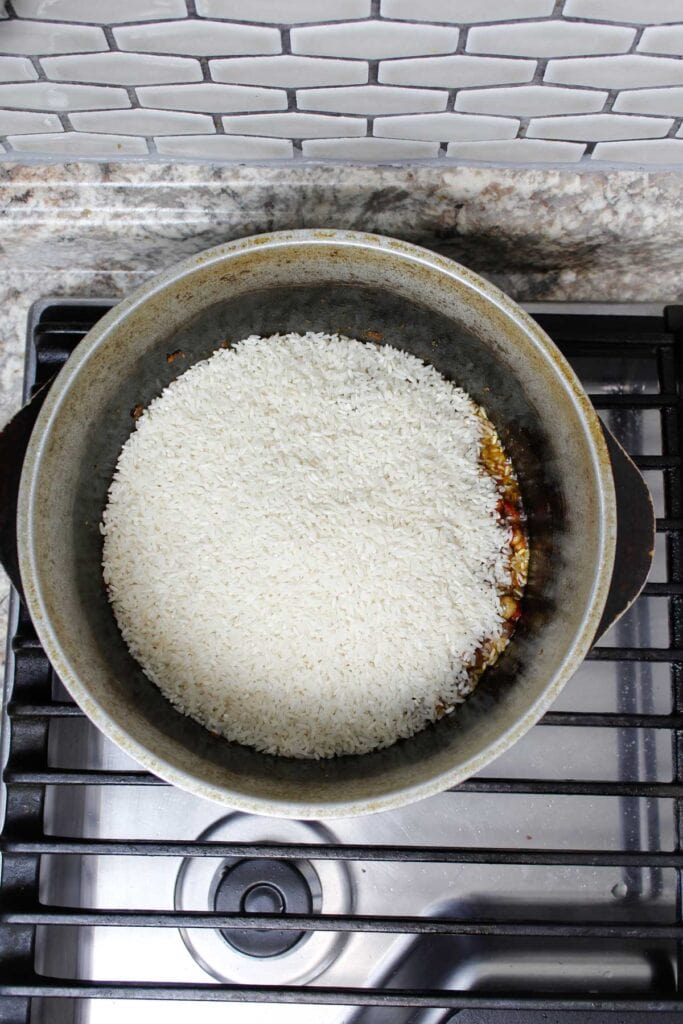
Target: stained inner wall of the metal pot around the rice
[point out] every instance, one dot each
(473, 346)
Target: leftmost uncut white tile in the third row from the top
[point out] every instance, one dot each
(122, 69)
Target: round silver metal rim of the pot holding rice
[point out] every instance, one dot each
(186, 780)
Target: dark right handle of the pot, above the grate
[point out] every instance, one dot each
(635, 535)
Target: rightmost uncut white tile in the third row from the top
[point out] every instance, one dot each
(456, 72)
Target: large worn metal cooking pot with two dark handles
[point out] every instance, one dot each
(583, 497)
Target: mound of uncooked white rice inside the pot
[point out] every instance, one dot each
(302, 548)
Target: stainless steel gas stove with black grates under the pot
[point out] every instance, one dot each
(547, 889)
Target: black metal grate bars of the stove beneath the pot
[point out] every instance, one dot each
(643, 354)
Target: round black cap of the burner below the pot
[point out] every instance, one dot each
(263, 886)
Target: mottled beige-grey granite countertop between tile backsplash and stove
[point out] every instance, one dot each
(544, 235)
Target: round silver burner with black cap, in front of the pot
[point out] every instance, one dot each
(264, 885)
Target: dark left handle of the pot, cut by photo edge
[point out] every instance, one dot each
(14, 444)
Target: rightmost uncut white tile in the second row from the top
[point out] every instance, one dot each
(549, 39)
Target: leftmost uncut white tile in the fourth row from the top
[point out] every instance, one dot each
(209, 98)
